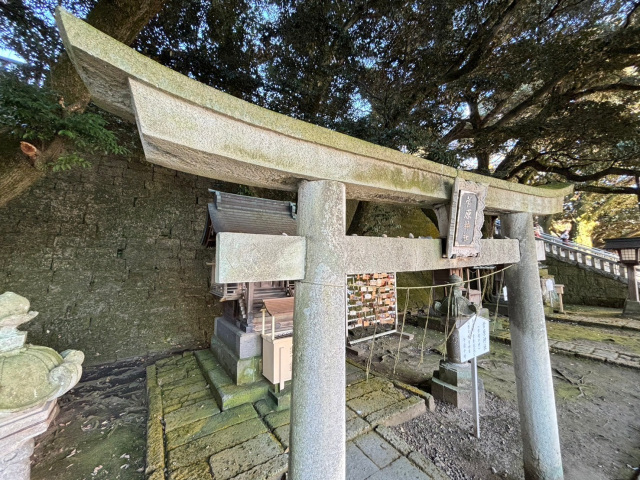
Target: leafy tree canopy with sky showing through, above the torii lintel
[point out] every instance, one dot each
(527, 90)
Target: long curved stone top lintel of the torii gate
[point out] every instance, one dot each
(188, 126)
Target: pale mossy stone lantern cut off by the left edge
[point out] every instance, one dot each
(31, 379)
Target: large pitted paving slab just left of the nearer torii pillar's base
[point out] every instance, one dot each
(243, 457)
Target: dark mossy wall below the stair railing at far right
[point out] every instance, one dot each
(583, 286)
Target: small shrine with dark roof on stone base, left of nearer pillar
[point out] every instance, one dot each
(257, 316)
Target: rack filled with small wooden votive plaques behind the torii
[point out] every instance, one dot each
(371, 297)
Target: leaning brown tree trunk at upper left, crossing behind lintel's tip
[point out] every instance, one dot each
(120, 19)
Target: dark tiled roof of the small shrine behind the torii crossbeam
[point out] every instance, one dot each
(243, 214)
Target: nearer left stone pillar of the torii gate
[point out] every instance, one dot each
(318, 450)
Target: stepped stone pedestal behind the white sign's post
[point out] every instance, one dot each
(452, 384)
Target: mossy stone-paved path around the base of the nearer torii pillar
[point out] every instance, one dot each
(189, 438)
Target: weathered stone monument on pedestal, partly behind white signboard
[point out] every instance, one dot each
(452, 381)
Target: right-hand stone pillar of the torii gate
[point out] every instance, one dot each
(534, 382)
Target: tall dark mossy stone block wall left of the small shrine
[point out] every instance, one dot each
(110, 257)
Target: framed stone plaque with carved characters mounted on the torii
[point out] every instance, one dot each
(466, 218)
